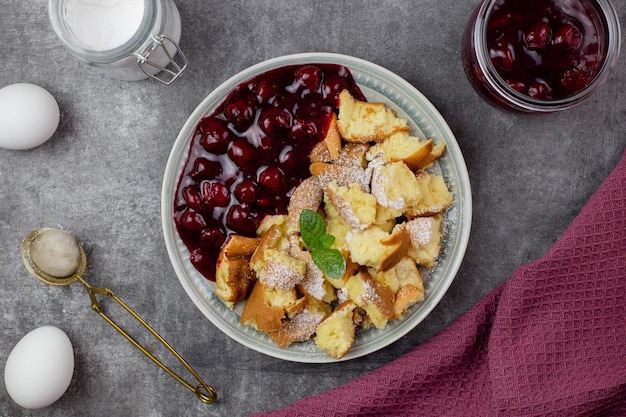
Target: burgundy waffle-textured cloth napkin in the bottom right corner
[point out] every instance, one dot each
(549, 341)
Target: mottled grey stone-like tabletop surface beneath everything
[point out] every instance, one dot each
(100, 176)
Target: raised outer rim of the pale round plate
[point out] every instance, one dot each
(217, 95)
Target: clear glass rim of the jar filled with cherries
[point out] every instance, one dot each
(607, 13)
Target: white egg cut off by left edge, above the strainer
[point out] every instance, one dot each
(29, 116)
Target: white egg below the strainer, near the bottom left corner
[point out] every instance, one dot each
(39, 369)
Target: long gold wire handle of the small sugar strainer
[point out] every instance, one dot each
(204, 392)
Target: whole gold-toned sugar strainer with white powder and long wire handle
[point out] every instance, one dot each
(55, 257)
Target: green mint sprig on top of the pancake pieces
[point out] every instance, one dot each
(313, 233)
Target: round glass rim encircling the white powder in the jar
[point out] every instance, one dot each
(134, 43)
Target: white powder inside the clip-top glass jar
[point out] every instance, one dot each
(103, 25)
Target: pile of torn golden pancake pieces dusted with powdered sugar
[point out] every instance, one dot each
(383, 208)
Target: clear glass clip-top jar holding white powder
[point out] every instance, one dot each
(125, 39)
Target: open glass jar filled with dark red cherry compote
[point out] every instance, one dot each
(541, 55)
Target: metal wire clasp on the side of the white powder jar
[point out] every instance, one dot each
(170, 71)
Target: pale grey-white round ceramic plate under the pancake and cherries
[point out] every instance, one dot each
(378, 84)
